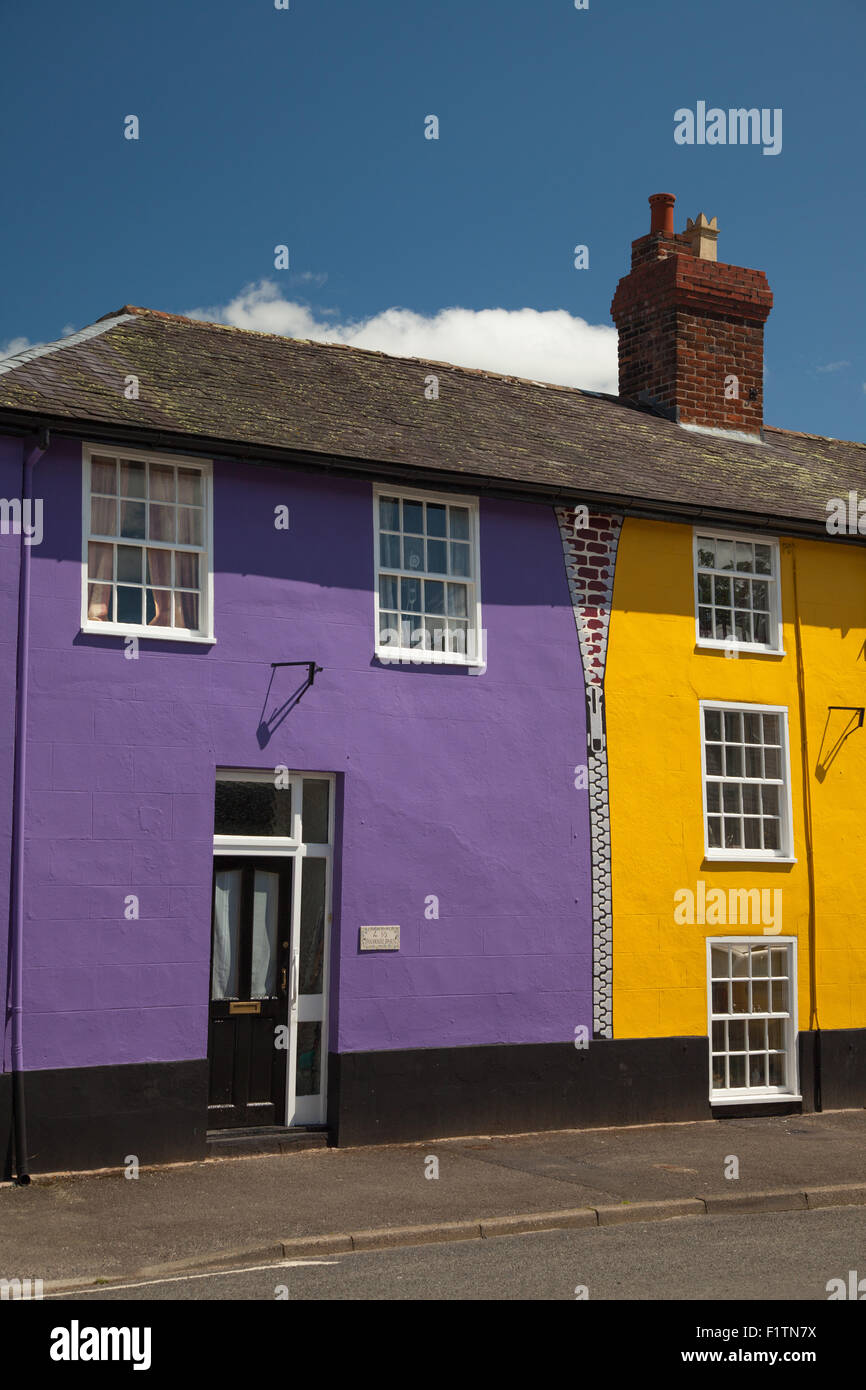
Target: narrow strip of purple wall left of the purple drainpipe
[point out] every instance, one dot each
(12, 464)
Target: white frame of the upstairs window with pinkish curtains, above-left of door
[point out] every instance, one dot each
(205, 635)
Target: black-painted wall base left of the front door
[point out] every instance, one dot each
(95, 1117)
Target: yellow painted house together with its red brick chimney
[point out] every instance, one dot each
(735, 692)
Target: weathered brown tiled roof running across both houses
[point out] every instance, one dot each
(261, 391)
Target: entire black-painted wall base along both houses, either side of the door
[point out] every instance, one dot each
(84, 1118)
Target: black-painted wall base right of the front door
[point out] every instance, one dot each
(443, 1093)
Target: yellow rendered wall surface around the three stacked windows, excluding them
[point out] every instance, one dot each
(654, 682)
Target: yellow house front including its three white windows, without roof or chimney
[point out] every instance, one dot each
(797, 837)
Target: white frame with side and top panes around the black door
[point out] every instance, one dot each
(312, 1008)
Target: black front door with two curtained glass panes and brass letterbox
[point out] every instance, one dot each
(251, 935)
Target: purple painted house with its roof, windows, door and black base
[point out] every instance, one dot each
(294, 836)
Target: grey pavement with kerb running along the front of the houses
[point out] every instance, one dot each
(99, 1228)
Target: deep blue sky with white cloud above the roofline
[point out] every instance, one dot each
(307, 129)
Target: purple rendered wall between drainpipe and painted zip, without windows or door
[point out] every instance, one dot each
(454, 785)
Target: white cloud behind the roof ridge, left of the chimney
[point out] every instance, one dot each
(544, 345)
